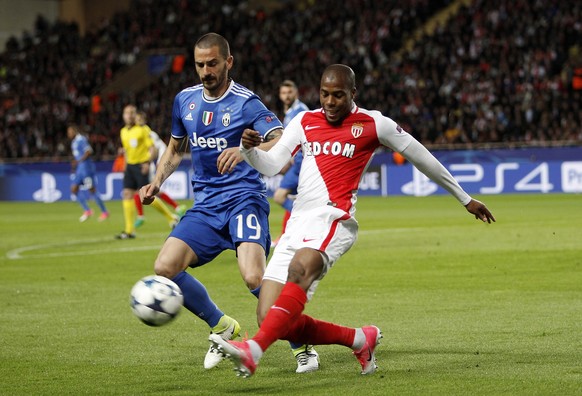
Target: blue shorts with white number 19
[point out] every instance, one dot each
(210, 233)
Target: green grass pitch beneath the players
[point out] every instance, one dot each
(466, 308)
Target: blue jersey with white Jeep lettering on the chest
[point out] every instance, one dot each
(212, 125)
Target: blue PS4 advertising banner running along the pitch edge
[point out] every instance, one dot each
(548, 170)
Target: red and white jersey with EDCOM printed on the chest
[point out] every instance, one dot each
(336, 156)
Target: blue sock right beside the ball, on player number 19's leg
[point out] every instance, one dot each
(197, 300)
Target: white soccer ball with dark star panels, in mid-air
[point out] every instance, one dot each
(155, 300)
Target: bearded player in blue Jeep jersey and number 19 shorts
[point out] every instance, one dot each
(230, 208)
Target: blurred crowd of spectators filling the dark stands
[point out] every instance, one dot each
(496, 71)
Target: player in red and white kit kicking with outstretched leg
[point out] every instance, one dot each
(338, 142)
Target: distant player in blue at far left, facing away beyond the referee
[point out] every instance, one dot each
(84, 173)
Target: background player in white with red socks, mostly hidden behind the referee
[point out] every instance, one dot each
(160, 147)
